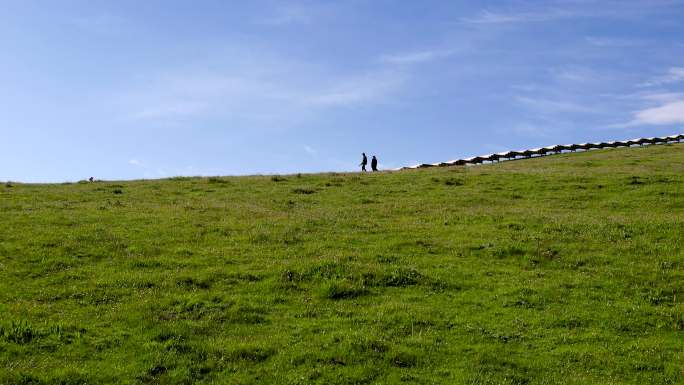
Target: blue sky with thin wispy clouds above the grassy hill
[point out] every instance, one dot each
(130, 89)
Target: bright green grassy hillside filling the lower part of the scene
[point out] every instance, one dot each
(564, 269)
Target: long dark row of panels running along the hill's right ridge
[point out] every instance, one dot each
(557, 149)
